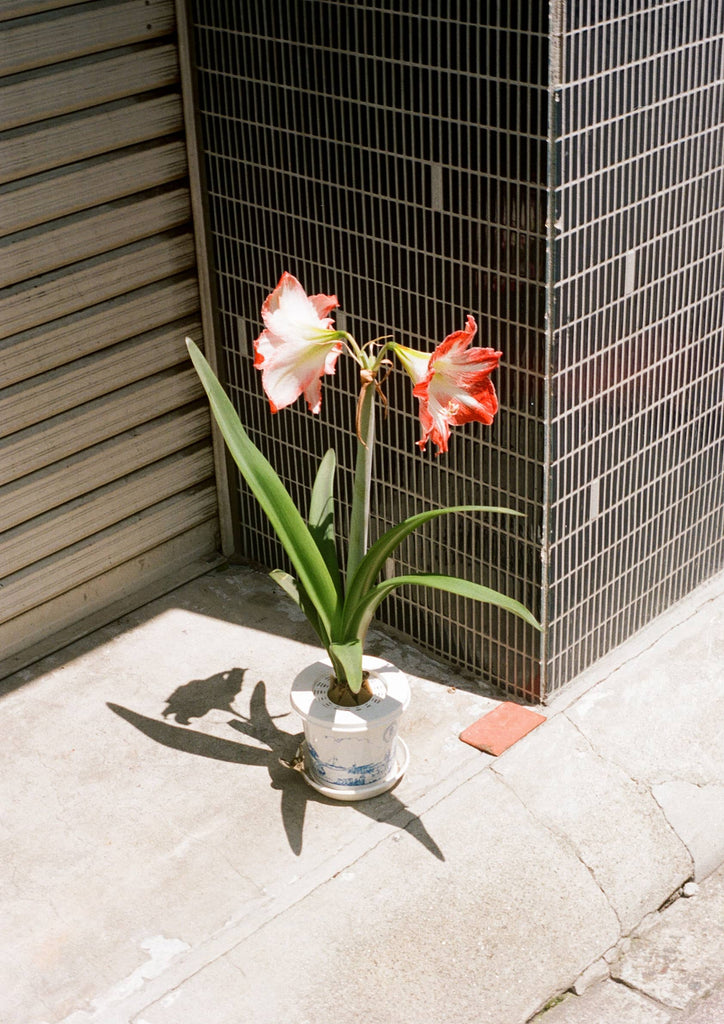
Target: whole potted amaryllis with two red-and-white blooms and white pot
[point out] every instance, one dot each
(351, 697)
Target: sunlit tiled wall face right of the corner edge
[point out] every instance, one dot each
(637, 431)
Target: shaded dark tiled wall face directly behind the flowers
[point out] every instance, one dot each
(394, 154)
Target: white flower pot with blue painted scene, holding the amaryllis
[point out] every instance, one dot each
(353, 753)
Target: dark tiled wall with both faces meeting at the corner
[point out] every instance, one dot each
(407, 156)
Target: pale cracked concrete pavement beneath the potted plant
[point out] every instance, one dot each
(162, 866)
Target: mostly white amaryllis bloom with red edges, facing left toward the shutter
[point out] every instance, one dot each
(299, 347)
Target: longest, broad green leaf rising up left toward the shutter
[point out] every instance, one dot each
(274, 499)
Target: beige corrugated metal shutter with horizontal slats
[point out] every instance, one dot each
(107, 476)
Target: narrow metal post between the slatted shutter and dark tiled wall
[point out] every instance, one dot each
(203, 251)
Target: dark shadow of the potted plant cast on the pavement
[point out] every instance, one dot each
(198, 698)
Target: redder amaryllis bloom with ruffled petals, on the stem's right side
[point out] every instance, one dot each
(453, 385)
